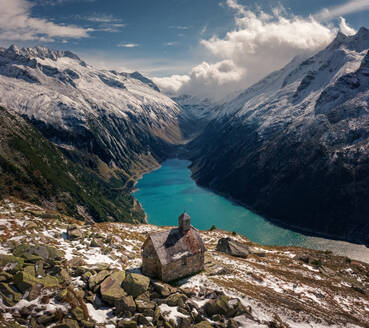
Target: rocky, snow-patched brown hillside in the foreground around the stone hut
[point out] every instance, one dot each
(58, 272)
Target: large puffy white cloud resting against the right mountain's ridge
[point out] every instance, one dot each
(259, 44)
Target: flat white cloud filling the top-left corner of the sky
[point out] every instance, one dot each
(16, 23)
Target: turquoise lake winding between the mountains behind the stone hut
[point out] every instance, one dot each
(166, 192)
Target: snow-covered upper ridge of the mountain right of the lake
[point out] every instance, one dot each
(294, 89)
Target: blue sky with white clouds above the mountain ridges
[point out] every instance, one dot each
(162, 38)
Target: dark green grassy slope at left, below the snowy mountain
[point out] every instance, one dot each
(34, 169)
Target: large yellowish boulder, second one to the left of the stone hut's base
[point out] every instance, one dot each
(110, 289)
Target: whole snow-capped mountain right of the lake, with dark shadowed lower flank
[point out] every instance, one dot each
(295, 145)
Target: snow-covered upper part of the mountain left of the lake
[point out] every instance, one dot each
(57, 87)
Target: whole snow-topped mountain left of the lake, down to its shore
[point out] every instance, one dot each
(114, 125)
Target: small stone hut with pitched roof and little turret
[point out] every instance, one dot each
(173, 254)
